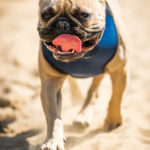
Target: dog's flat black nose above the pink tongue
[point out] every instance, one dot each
(63, 25)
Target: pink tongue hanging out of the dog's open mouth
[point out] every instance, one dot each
(67, 42)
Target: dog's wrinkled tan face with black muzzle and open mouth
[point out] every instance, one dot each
(84, 19)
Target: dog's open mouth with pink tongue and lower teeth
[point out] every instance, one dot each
(70, 45)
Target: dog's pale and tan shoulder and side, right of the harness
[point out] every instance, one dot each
(120, 58)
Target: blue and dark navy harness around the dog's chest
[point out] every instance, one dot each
(94, 61)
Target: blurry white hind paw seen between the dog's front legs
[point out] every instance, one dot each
(83, 119)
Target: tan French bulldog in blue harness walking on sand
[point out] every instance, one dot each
(79, 38)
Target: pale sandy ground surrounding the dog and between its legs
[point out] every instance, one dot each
(22, 121)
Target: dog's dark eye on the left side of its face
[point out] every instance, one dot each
(47, 13)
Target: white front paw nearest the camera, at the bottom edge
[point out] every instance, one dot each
(53, 144)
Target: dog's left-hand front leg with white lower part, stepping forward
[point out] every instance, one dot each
(51, 101)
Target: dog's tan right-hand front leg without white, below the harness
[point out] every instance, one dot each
(114, 118)
